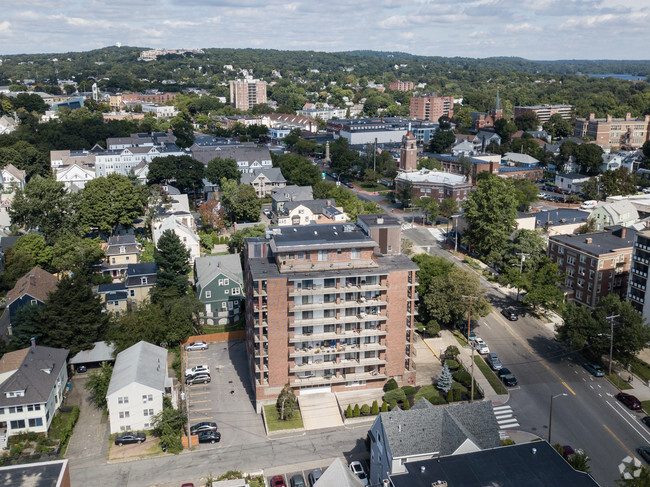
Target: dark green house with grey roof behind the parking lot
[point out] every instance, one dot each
(220, 287)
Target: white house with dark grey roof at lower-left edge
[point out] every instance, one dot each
(32, 383)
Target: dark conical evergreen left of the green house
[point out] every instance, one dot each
(172, 259)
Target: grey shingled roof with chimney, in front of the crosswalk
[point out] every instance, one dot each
(439, 429)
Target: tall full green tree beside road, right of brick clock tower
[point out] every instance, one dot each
(491, 212)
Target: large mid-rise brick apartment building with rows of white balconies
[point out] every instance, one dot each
(328, 308)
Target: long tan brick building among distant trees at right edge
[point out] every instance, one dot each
(608, 132)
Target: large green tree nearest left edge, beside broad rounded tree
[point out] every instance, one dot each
(44, 205)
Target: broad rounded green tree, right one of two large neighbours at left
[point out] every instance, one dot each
(110, 201)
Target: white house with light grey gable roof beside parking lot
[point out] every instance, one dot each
(138, 384)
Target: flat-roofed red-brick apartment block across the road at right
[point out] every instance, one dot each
(595, 264)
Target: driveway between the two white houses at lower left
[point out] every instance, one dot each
(89, 441)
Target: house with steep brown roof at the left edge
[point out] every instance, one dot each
(31, 289)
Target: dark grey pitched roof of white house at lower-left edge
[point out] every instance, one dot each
(36, 375)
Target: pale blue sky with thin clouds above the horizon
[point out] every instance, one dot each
(532, 29)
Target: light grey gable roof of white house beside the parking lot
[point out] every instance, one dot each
(142, 363)
